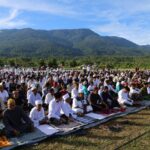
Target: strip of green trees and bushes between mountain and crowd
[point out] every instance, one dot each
(77, 62)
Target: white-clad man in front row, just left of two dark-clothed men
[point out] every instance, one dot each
(80, 104)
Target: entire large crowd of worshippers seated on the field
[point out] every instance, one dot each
(29, 98)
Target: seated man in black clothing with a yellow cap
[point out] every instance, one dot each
(15, 120)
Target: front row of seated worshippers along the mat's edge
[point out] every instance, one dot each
(61, 109)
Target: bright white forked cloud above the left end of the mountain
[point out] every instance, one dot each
(10, 22)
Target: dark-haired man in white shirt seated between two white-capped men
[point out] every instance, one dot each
(54, 110)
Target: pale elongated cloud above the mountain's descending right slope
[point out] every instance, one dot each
(133, 32)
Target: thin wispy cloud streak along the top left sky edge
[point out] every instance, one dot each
(44, 6)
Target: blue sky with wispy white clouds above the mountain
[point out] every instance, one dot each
(129, 19)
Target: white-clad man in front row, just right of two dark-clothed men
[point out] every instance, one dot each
(123, 97)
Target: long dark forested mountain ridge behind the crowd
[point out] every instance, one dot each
(68, 42)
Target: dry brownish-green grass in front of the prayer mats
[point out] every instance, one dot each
(120, 134)
